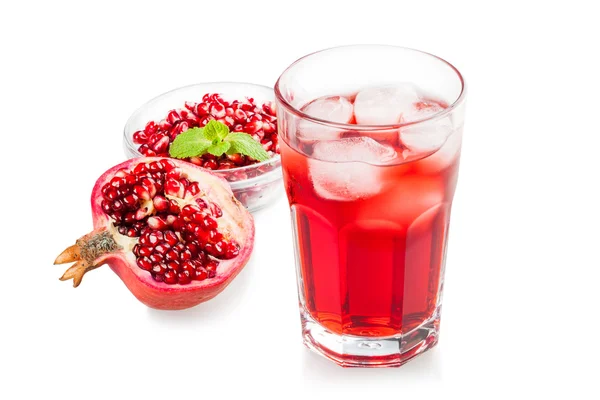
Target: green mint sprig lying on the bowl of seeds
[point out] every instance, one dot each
(216, 139)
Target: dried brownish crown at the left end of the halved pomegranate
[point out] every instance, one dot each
(85, 252)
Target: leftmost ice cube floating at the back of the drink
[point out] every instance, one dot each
(334, 109)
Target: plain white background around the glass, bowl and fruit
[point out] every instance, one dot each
(520, 311)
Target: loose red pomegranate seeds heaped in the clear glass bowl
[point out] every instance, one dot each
(239, 116)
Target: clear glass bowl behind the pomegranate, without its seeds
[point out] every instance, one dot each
(256, 185)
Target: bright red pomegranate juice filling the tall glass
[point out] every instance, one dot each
(371, 226)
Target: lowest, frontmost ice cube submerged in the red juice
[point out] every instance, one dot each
(346, 170)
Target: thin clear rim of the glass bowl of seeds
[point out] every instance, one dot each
(131, 146)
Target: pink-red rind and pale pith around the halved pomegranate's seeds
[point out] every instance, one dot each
(236, 222)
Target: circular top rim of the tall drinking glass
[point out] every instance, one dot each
(369, 127)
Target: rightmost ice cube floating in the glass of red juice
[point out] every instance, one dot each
(427, 136)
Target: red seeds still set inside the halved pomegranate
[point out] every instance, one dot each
(177, 227)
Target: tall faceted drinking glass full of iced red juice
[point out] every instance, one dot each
(370, 141)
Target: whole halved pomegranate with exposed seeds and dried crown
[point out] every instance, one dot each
(173, 232)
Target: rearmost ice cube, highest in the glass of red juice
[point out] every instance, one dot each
(385, 105)
